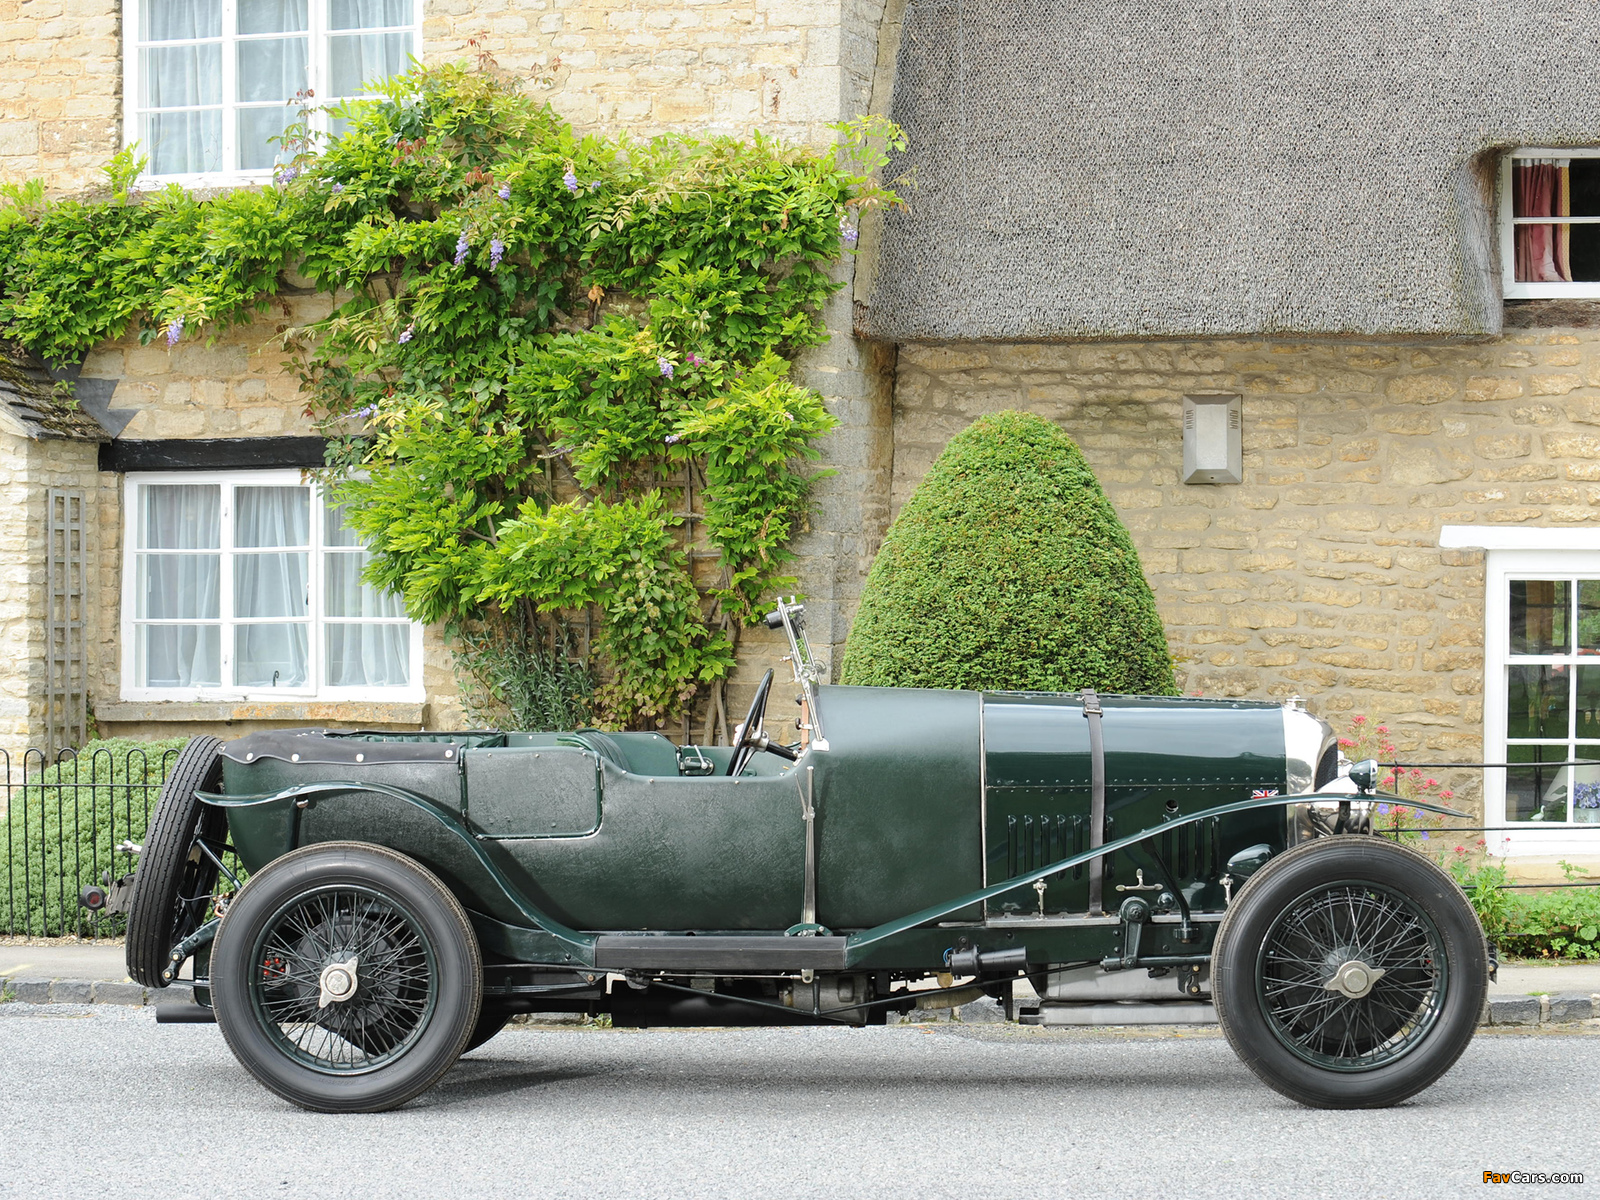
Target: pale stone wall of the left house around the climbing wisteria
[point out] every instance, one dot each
(788, 68)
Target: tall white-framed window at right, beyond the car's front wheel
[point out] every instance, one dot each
(1542, 697)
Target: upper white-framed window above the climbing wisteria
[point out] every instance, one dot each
(209, 82)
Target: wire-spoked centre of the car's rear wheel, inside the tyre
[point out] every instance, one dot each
(394, 991)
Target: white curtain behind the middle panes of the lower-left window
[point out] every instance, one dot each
(271, 583)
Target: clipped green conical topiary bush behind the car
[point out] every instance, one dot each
(1009, 570)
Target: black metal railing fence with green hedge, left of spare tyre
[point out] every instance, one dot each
(70, 822)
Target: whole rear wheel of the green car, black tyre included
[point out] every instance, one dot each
(410, 1017)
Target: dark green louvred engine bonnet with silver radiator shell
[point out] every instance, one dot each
(1166, 758)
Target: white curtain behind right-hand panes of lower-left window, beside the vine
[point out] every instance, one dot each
(361, 654)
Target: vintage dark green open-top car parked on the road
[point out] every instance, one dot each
(410, 894)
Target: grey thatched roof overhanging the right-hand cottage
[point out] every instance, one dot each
(1106, 169)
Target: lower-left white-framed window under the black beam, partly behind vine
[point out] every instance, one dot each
(249, 586)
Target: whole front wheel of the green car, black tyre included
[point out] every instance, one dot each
(1350, 900)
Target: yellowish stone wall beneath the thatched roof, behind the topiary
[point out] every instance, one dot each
(1321, 575)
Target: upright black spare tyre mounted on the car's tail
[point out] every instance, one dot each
(174, 882)
